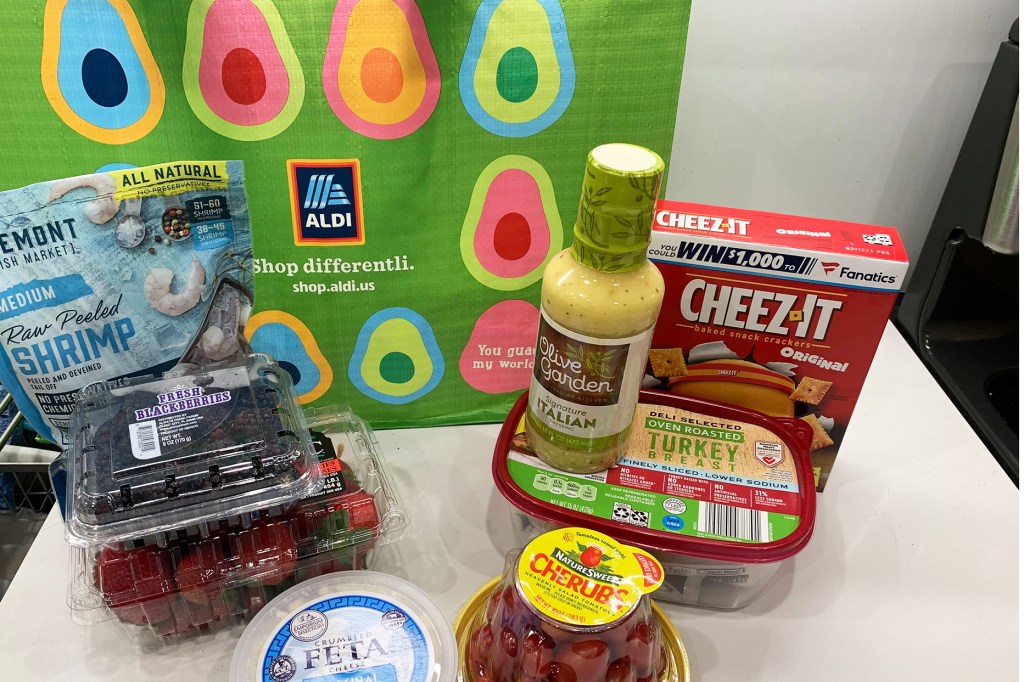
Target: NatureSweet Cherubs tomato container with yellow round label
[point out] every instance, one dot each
(573, 607)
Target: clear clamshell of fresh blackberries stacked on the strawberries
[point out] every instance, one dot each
(153, 455)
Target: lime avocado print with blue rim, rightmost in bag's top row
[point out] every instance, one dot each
(518, 76)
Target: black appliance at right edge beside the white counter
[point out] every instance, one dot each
(961, 311)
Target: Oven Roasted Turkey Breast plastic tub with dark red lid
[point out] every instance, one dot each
(720, 495)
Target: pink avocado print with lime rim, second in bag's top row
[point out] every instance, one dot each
(240, 72)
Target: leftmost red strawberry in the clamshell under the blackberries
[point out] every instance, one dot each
(138, 584)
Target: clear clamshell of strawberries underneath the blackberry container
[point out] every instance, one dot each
(203, 577)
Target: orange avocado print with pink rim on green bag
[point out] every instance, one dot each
(380, 73)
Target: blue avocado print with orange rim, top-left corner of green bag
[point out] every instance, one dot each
(98, 71)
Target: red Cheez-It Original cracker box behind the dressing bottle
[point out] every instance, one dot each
(773, 313)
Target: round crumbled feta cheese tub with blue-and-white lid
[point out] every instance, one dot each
(356, 626)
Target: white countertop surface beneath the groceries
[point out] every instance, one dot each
(912, 573)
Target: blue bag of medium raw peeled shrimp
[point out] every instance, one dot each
(120, 274)
